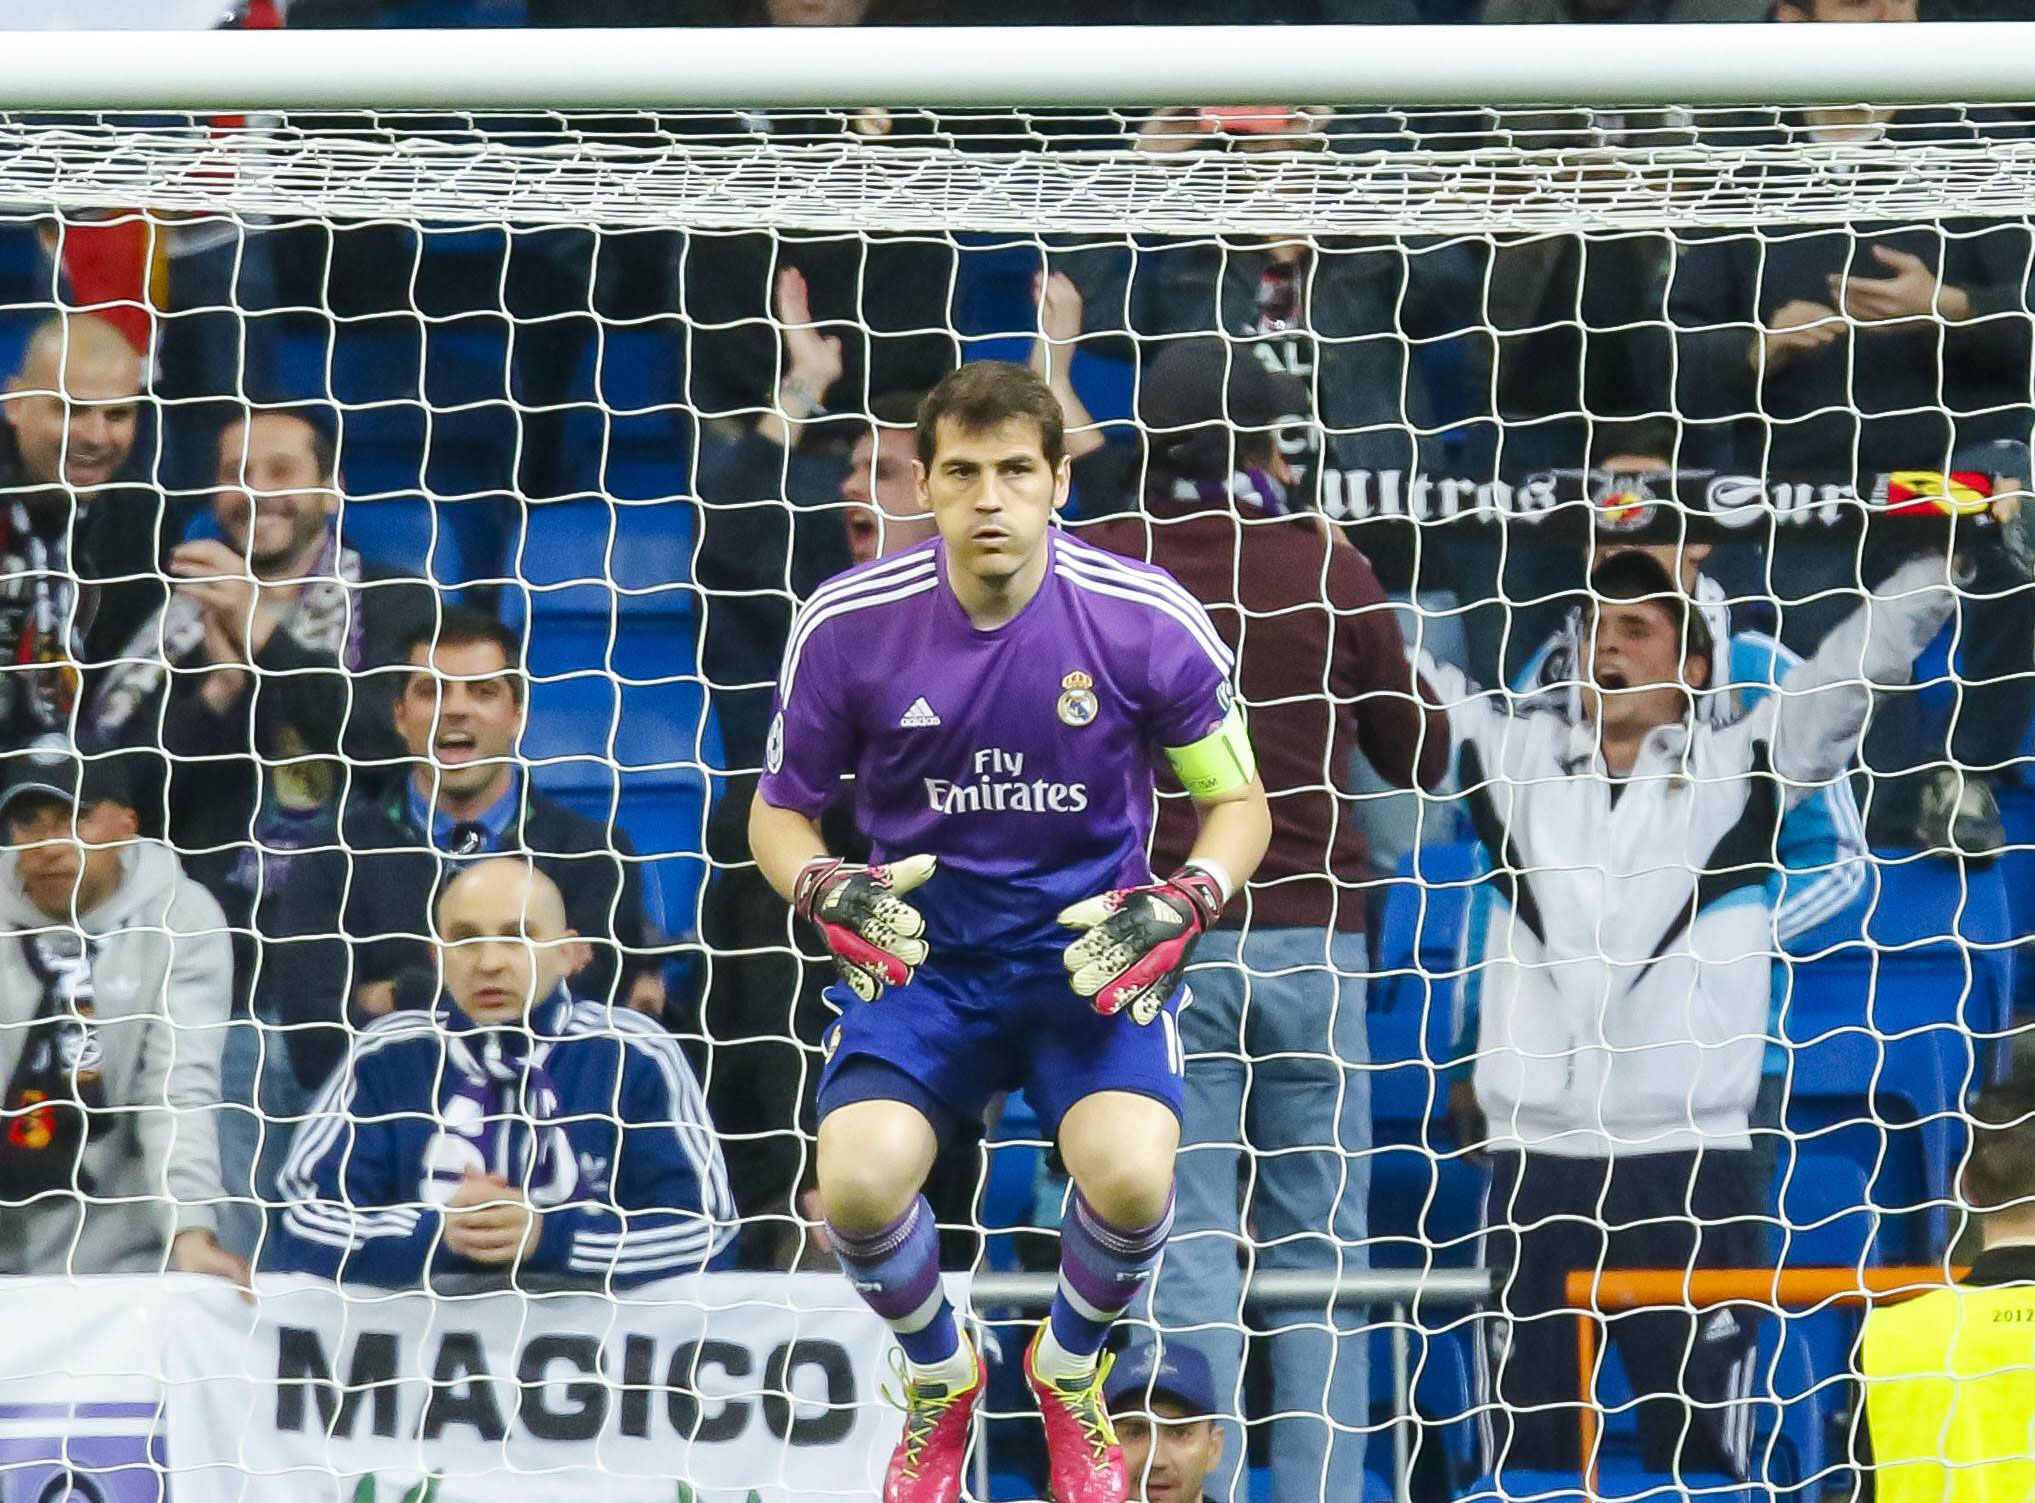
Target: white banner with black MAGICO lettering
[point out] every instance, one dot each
(721, 1388)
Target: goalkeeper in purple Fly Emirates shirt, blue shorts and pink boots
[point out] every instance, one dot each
(1004, 699)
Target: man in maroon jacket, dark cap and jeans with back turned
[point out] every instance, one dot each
(1275, 1036)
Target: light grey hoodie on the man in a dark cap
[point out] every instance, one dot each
(162, 998)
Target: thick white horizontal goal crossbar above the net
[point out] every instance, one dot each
(1063, 66)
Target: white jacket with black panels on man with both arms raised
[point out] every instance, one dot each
(1627, 969)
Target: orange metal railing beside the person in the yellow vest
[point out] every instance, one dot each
(1603, 1290)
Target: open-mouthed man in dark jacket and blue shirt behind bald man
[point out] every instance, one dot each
(353, 922)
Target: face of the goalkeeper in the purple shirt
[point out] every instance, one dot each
(992, 495)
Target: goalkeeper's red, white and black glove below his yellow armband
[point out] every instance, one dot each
(1139, 941)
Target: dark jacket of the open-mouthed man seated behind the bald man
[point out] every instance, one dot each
(359, 912)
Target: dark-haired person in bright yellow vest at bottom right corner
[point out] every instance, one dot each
(1949, 1376)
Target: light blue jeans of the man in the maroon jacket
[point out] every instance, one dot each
(1275, 1063)
